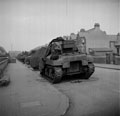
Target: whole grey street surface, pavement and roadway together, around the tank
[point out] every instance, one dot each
(29, 94)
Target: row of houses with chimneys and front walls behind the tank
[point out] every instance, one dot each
(103, 47)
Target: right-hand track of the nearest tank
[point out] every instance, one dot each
(88, 71)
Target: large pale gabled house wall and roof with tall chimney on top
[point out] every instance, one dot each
(96, 38)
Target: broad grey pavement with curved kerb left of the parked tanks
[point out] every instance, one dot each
(28, 94)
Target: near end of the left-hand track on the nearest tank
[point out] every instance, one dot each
(56, 74)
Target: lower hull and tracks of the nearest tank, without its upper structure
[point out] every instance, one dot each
(72, 65)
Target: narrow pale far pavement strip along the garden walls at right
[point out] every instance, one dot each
(108, 66)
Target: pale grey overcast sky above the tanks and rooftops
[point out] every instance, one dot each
(26, 24)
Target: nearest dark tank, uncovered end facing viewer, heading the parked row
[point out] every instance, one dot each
(66, 57)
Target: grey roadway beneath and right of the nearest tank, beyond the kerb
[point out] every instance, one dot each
(98, 96)
